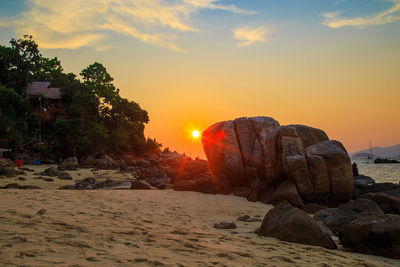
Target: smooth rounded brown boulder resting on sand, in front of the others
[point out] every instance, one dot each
(291, 224)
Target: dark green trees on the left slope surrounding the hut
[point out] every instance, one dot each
(96, 117)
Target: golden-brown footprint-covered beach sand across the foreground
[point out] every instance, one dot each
(146, 228)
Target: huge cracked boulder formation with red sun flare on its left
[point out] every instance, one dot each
(296, 163)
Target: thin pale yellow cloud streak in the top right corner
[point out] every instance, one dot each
(387, 16)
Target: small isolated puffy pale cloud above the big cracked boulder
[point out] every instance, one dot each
(249, 36)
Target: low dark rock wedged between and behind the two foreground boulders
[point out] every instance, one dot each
(335, 218)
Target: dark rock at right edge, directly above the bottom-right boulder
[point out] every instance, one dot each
(388, 201)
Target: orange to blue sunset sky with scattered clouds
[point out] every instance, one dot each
(329, 64)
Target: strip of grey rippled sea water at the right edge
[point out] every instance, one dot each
(381, 173)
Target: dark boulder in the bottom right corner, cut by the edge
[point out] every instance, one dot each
(377, 235)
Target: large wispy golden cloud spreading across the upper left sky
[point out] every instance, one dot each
(75, 23)
